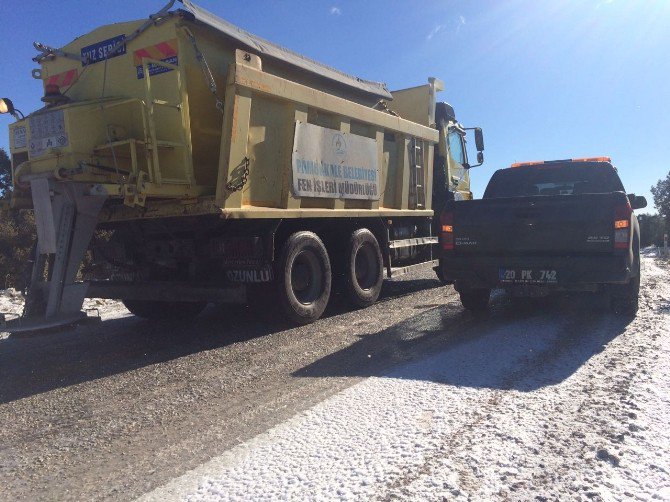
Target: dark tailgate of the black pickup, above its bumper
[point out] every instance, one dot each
(535, 224)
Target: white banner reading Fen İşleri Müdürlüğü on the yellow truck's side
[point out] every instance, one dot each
(334, 164)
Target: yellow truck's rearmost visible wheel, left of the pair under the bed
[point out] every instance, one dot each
(303, 278)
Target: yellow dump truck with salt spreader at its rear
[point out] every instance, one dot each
(191, 162)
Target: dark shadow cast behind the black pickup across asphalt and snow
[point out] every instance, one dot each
(521, 345)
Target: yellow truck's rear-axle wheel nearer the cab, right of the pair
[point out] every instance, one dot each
(364, 268)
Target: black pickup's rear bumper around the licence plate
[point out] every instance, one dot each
(572, 272)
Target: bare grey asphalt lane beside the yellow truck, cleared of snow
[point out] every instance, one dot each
(110, 411)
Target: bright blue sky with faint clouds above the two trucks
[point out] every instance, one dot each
(544, 79)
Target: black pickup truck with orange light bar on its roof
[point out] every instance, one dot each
(564, 225)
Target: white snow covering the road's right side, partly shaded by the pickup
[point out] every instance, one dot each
(547, 406)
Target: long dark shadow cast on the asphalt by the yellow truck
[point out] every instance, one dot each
(39, 363)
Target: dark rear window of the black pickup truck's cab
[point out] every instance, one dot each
(560, 179)
